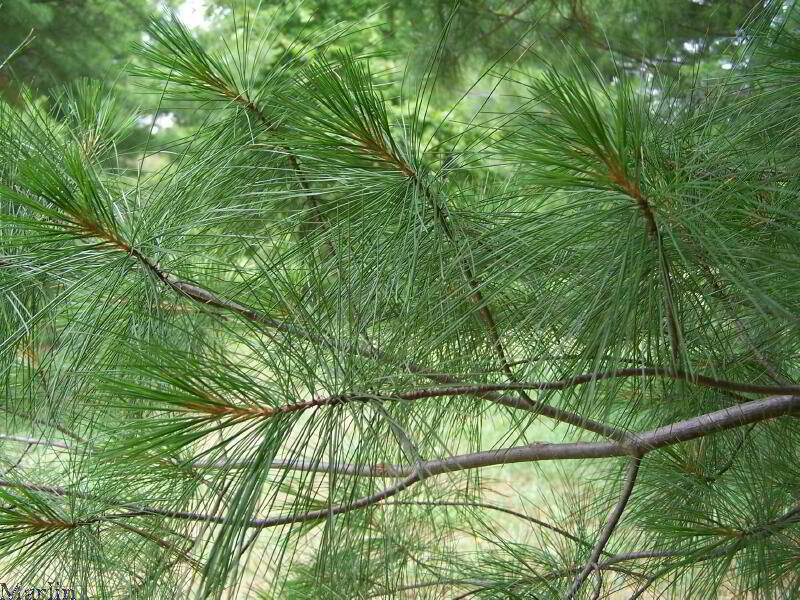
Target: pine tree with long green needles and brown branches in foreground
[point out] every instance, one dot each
(269, 369)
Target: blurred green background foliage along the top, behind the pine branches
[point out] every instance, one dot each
(673, 42)
